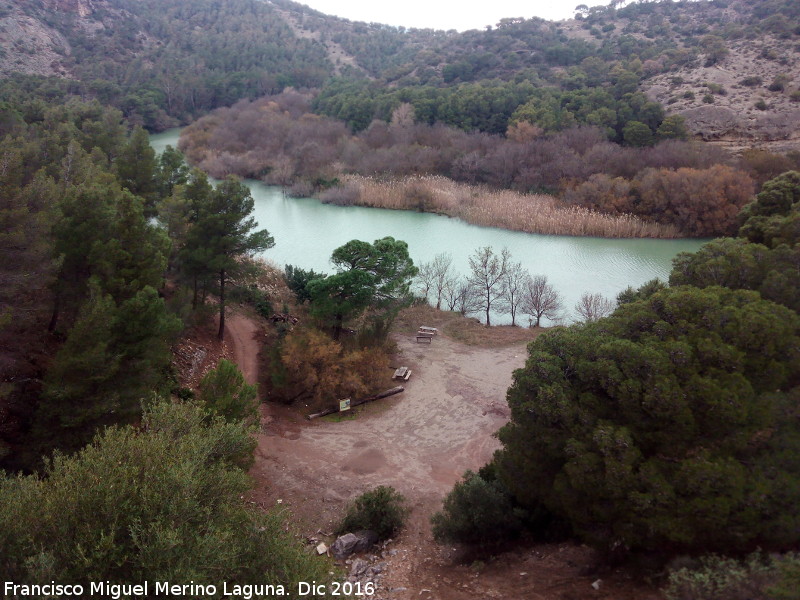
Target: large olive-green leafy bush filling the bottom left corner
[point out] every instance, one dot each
(163, 502)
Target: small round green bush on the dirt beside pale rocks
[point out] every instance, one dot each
(381, 510)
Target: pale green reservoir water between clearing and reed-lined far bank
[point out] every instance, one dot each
(307, 231)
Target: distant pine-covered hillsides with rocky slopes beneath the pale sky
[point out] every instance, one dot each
(729, 67)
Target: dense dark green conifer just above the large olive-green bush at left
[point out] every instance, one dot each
(113, 357)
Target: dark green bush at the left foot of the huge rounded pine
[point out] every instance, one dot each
(478, 512)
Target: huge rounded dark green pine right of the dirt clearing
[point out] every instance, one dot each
(656, 428)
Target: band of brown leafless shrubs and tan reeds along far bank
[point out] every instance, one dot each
(431, 168)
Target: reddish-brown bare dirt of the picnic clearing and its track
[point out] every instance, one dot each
(420, 442)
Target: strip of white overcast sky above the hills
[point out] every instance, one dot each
(446, 14)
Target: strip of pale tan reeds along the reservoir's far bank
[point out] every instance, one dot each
(531, 213)
